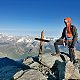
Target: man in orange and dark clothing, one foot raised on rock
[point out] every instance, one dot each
(69, 37)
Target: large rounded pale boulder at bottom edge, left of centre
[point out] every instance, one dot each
(32, 75)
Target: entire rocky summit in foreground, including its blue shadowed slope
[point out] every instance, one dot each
(44, 67)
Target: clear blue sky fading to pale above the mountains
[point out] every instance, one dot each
(30, 17)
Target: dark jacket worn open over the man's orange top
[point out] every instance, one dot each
(74, 33)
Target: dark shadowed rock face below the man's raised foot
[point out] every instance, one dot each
(58, 71)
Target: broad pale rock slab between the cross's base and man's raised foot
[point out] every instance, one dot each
(49, 60)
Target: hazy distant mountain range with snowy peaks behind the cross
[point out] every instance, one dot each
(19, 47)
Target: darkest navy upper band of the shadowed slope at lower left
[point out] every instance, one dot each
(9, 62)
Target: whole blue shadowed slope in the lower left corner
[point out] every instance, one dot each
(9, 67)
